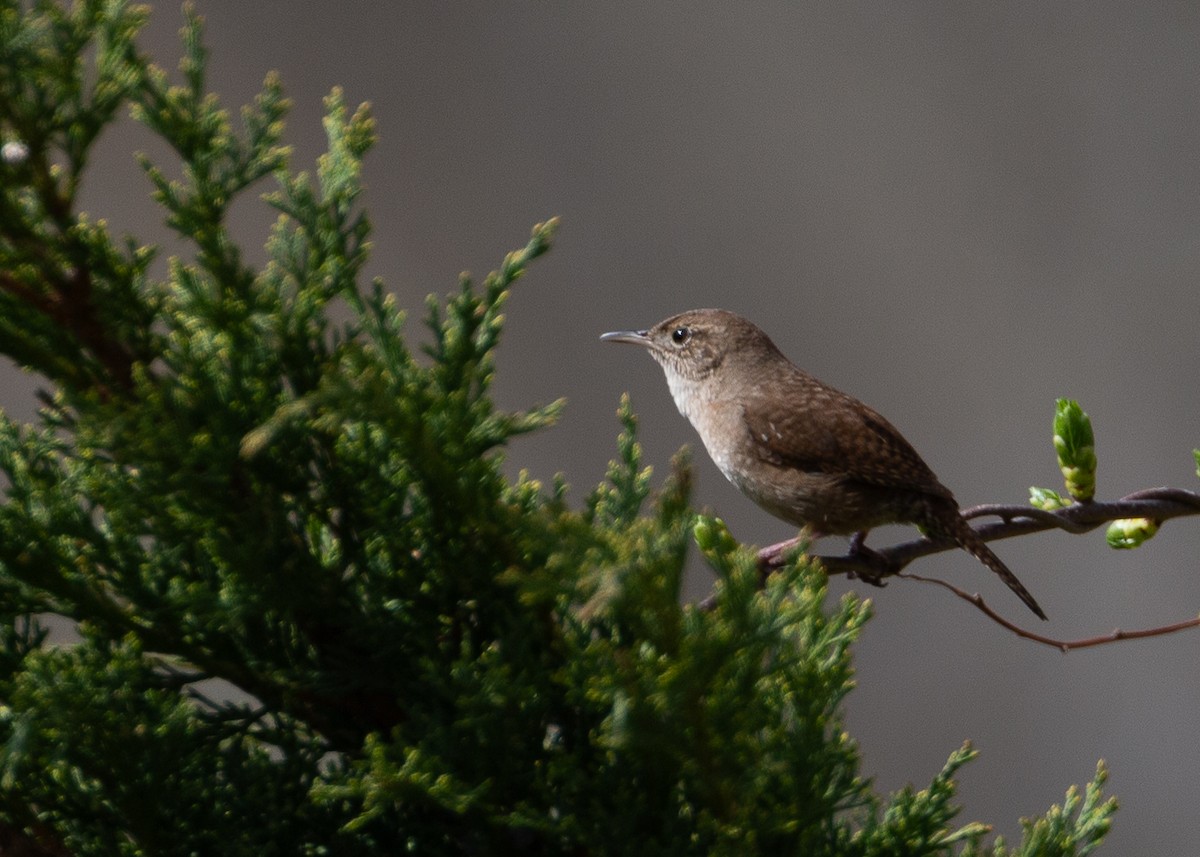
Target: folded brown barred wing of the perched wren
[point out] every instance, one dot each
(838, 435)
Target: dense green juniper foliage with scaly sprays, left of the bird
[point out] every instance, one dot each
(417, 654)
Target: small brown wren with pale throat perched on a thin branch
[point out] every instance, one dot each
(802, 451)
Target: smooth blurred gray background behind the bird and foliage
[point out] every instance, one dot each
(958, 213)
